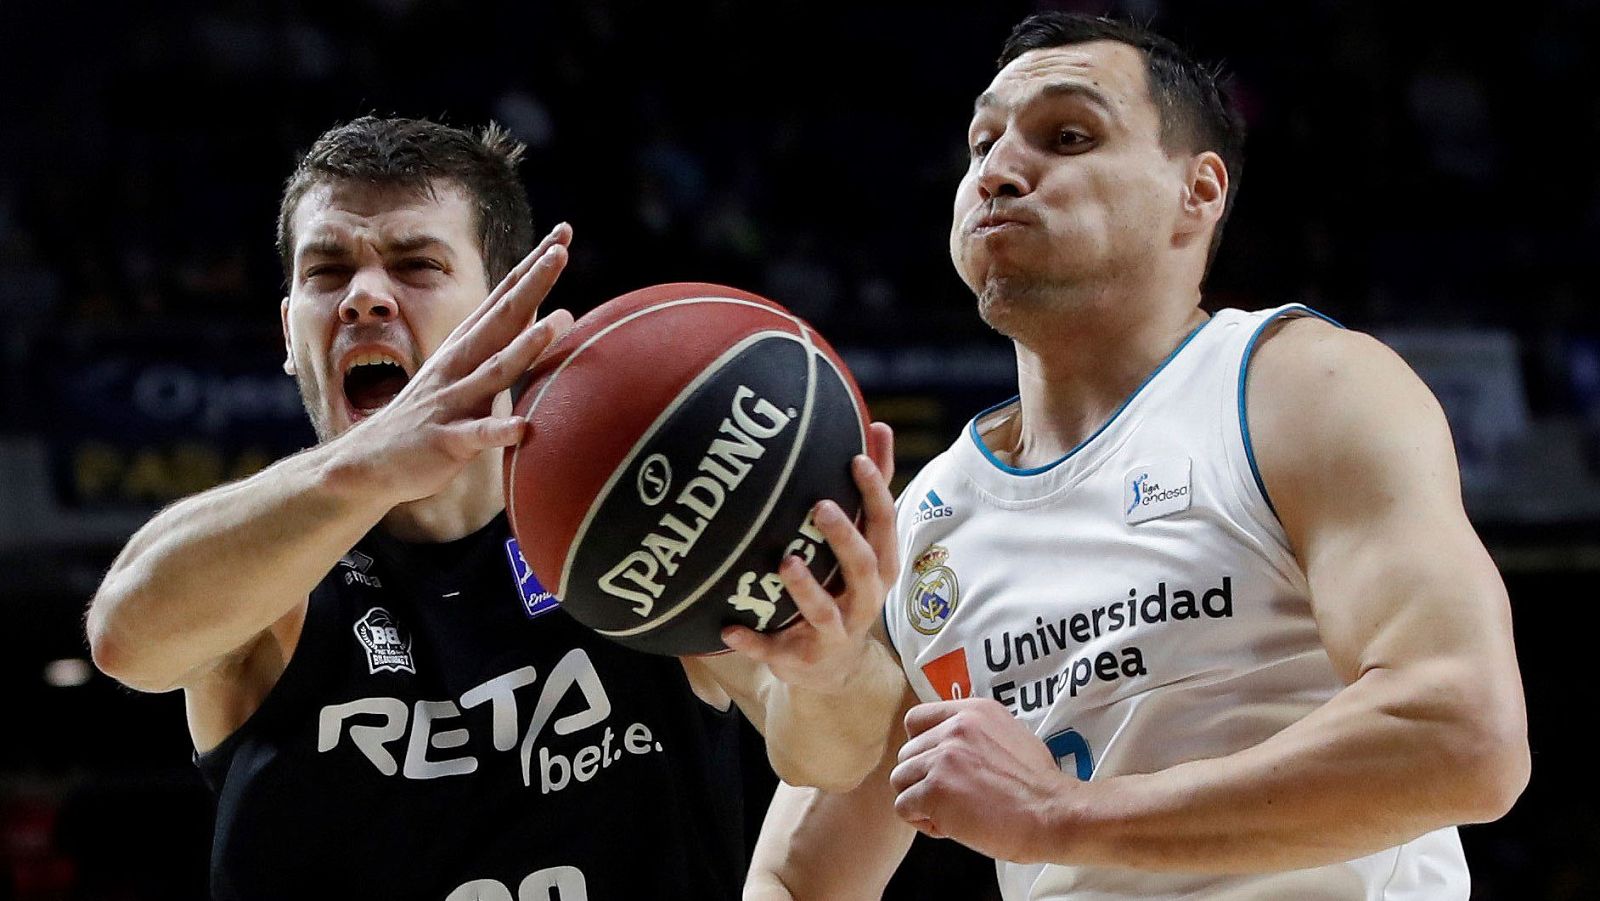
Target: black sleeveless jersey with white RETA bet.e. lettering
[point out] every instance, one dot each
(446, 732)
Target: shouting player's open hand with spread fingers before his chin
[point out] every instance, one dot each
(455, 409)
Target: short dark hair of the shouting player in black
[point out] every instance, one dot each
(417, 154)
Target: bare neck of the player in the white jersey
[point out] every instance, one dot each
(1074, 380)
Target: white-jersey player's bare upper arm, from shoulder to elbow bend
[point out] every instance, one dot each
(1358, 459)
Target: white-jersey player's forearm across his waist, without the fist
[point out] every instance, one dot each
(1391, 758)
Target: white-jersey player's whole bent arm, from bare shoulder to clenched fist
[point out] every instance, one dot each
(1430, 731)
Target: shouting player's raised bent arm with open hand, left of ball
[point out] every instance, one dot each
(222, 579)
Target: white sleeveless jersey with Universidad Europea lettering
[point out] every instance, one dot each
(1137, 606)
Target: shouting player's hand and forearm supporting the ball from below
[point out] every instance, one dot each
(825, 691)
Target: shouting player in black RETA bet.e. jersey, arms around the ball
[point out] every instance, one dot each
(385, 700)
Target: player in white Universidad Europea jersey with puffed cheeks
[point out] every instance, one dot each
(1199, 614)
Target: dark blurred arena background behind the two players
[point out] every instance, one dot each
(1415, 170)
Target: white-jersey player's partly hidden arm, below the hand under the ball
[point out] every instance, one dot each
(822, 846)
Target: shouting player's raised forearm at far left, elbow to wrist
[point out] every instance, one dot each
(215, 571)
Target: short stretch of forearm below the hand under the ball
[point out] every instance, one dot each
(834, 740)
